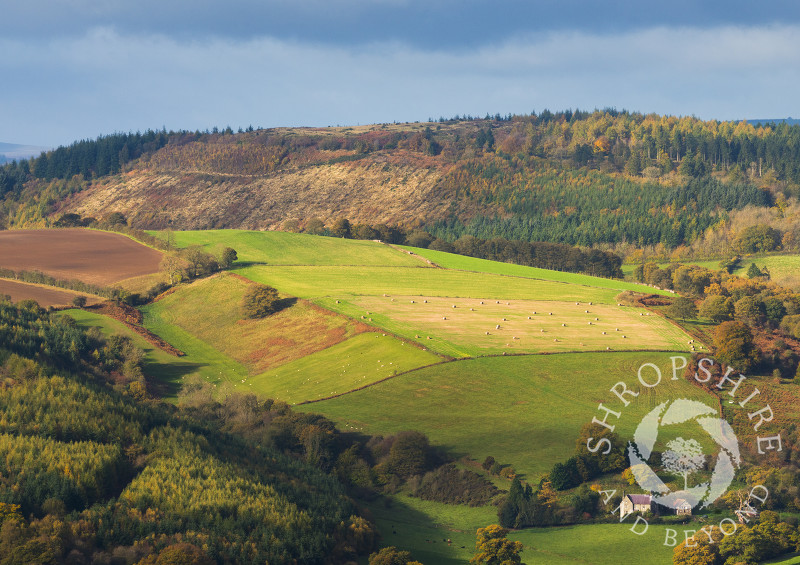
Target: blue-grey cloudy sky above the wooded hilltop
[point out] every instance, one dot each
(76, 69)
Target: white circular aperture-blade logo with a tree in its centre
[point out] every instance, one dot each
(683, 456)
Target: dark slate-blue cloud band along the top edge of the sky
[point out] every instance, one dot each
(424, 23)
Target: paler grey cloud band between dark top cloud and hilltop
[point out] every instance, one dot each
(108, 80)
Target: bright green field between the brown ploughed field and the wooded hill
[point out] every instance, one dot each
(283, 248)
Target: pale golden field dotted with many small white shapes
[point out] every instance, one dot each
(461, 327)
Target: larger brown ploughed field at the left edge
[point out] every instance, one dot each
(91, 256)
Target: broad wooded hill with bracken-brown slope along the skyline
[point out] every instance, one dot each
(581, 178)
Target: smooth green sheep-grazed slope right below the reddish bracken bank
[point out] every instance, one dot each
(353, 363)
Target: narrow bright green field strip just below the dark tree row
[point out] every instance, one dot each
(463, 263)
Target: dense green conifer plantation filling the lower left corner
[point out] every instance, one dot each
(94, 472)
